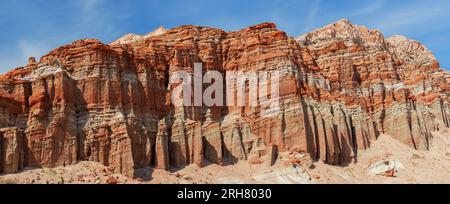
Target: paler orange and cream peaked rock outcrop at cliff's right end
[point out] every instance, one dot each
(386, 83)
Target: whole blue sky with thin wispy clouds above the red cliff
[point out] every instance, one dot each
(33, 28)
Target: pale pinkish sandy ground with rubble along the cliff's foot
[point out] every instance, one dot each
(411, 167)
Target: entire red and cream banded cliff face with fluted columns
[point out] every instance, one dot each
(343, 85)
